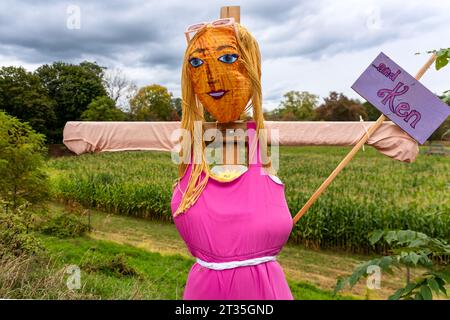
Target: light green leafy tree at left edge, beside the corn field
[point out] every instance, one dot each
(22, 175)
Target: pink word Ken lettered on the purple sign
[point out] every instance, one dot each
(402, 109)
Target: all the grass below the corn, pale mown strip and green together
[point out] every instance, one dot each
(155, 250)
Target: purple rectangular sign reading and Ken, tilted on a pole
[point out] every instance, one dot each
(401, 98)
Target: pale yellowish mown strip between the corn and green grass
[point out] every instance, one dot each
(301, 265)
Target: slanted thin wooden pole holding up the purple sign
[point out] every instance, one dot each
(355, 149)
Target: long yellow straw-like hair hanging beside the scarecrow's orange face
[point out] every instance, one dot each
(192, 111)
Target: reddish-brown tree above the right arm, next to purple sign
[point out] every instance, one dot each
(337, 107)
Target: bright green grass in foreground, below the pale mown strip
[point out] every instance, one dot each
(157, 276)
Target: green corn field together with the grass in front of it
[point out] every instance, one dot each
(129, 193)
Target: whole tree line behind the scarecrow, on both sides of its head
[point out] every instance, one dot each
(59, 92)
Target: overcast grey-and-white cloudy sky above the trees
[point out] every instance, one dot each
(316, 46)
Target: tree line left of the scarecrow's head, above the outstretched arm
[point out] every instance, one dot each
(56, 93)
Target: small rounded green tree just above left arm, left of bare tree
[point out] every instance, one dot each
(103, 109)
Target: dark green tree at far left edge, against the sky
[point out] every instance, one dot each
(23, 95)
